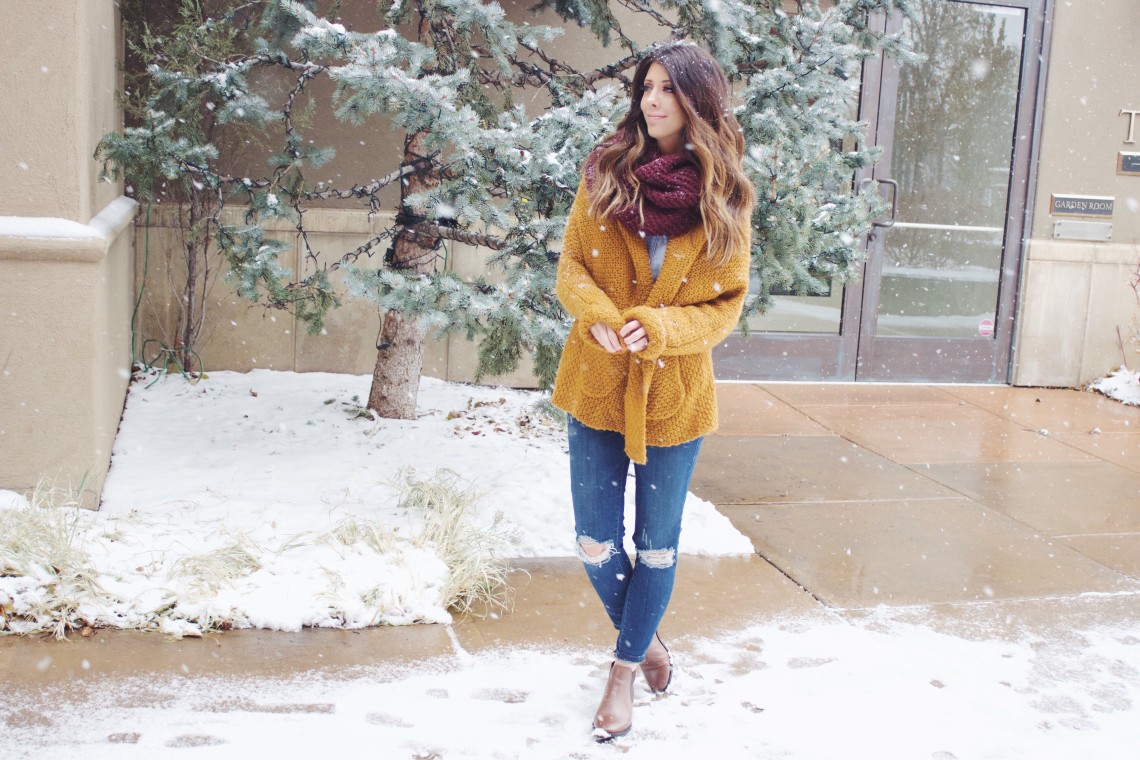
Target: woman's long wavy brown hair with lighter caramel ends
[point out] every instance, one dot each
(712, 138)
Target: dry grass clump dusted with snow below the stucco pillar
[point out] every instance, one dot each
(40, 544)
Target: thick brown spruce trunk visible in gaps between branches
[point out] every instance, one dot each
(401, 354)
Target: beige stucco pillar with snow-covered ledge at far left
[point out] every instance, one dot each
(66, 249)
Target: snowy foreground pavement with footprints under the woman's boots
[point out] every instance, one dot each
(819, 689)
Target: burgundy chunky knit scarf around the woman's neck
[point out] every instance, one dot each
(671, 194)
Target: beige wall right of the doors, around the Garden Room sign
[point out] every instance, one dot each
(1076, 301)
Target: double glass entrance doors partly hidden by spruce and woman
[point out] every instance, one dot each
(937, 300)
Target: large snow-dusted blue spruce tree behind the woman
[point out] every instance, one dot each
(452, 77)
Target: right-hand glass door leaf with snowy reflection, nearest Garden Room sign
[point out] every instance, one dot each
(933, 301)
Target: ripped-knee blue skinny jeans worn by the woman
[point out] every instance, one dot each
(636, 596)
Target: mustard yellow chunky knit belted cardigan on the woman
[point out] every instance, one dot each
(665, 395)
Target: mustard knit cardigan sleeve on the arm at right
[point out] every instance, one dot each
(677, 331)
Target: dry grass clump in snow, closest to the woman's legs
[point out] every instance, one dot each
(477, 583)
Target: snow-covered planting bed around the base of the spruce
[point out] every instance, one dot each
(256, 501)
